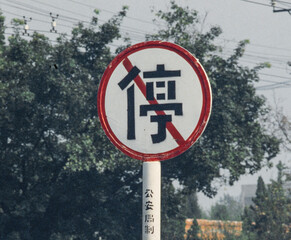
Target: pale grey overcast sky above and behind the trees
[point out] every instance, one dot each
(269, 34)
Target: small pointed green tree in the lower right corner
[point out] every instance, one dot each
(269, 217)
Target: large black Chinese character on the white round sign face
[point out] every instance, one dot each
(160, 118)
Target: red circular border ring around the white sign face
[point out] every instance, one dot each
(206, 105)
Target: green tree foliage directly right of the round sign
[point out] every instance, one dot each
(234, 139)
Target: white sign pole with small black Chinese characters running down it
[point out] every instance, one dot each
(151, 202)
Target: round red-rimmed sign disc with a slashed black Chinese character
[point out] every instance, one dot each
(154, 101)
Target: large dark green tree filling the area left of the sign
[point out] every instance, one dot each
(58, 175)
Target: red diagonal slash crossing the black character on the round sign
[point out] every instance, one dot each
(142, 87)
